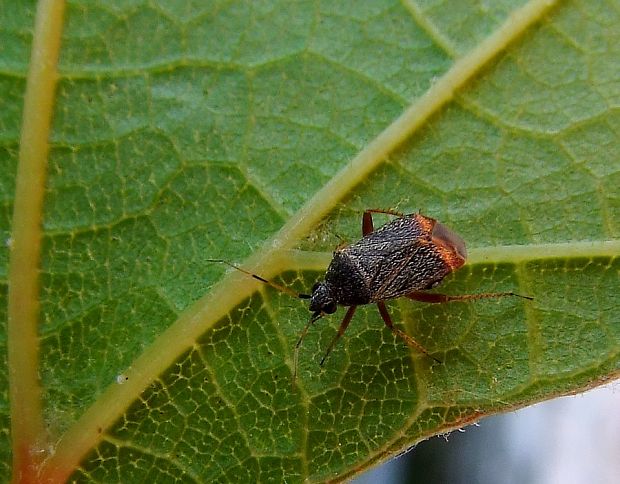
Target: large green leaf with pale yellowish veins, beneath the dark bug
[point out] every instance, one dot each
(258, 132)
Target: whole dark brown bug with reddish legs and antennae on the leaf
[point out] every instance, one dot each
(405, 257)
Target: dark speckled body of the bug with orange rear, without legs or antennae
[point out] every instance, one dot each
(409, 254)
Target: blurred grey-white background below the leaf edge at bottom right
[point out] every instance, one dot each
(567, 440)
